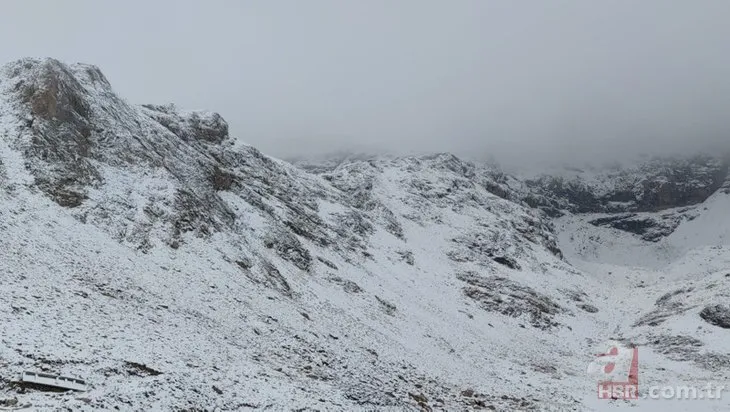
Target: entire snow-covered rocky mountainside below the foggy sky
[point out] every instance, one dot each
(173, 268)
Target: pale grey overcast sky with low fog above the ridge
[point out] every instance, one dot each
(474, 77)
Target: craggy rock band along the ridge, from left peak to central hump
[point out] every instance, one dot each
(151, 174)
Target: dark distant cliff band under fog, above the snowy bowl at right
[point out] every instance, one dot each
(649, 199)
